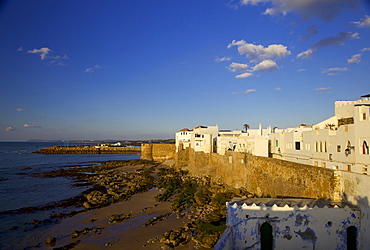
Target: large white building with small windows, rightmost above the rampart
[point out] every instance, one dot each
(340, 142)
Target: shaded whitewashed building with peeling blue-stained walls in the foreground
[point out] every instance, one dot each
(267, 223)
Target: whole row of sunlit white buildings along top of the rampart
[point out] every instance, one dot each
(341, 142)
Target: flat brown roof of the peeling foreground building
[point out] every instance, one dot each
(291, 202)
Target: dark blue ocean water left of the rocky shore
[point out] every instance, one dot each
(19, 189)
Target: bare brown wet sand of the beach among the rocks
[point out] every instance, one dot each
(95, 229)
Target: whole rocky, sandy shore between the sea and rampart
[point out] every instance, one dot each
(138, 204)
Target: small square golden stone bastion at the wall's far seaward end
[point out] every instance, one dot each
(158, 152)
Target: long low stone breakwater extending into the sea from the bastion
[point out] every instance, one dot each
(89, 150)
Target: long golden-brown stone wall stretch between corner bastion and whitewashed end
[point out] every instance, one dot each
(265, 177)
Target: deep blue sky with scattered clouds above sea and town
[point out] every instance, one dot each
(146, 69)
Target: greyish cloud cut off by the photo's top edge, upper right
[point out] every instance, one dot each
(326, 10)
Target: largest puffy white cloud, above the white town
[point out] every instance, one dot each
(258, 52)
